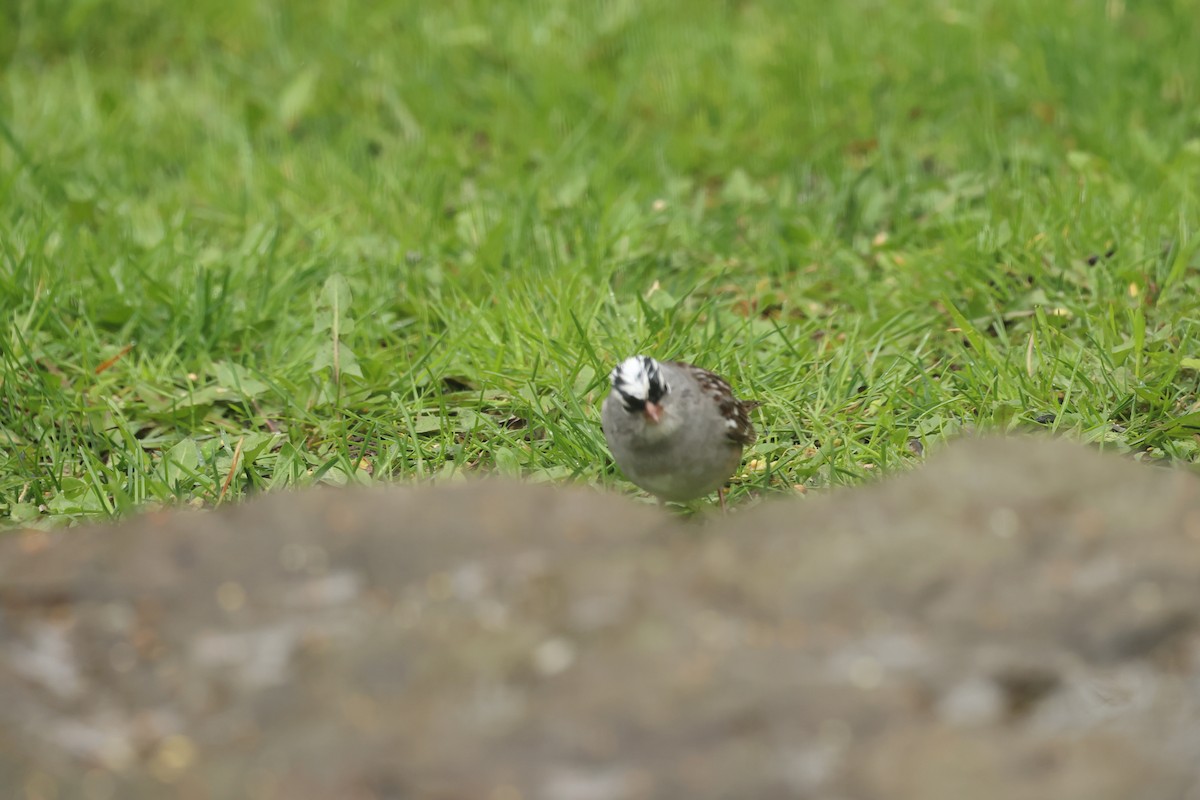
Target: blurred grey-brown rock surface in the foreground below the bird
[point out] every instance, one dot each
(1018, 619)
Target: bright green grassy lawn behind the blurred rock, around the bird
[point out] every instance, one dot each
(248, 246)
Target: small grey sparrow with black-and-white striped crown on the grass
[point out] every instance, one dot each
(675, 430)
